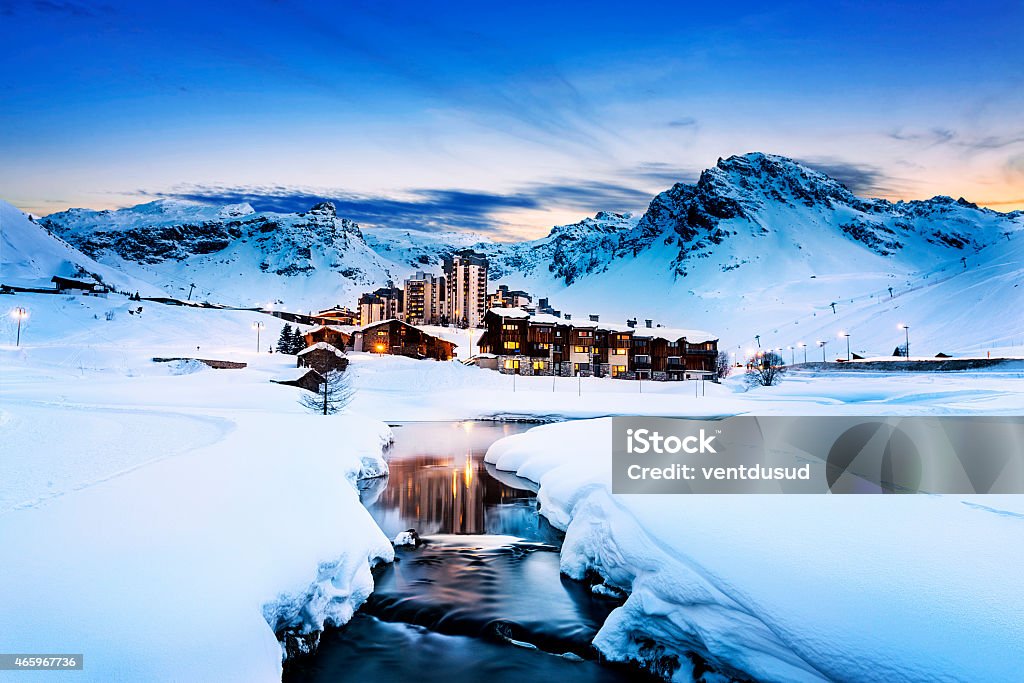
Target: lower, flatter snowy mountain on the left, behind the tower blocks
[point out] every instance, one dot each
(233, 254)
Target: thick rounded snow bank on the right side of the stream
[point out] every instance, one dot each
(781, 588)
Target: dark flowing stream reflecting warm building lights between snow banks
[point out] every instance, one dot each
(483, 597)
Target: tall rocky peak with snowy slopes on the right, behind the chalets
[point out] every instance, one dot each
(762, 245)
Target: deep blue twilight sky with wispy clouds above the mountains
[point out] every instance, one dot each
(499, 117)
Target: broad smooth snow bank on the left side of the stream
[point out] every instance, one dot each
(165, 526)
